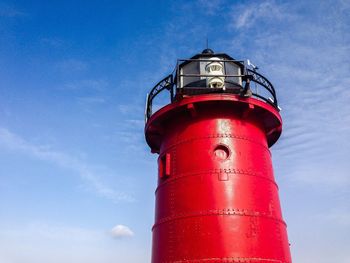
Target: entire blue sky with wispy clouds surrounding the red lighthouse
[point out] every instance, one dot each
(76, 177)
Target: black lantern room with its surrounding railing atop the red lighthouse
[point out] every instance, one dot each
(209, 72)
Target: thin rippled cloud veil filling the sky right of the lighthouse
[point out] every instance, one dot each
(304, 47)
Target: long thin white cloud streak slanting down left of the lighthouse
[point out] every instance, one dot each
(14, 142)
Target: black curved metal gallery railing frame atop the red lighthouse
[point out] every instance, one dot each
(248, 76)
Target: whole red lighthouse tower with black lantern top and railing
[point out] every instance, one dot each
(216, 199)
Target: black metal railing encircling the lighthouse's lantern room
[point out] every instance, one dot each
(172, 83)
